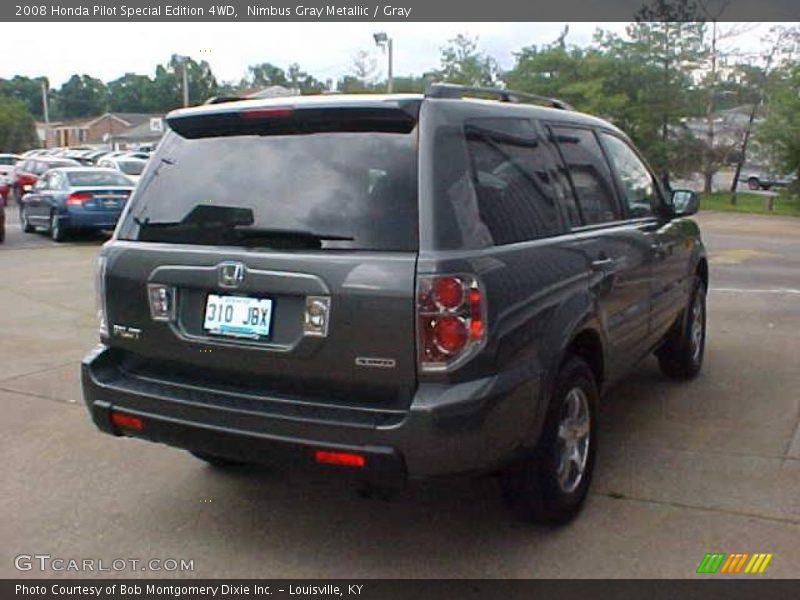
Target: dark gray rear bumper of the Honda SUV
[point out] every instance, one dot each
(448, 429)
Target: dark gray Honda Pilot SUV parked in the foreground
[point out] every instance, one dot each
(401, 286)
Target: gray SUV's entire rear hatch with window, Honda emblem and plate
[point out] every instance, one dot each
(274, 251)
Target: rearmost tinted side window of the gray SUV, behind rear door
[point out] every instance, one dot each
(512, 176)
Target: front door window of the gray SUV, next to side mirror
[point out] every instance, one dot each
(638, 187)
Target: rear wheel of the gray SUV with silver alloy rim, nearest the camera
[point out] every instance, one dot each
(549, 484)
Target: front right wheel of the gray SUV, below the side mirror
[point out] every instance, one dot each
(681, 355)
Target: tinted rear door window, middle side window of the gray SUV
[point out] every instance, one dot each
(589, 173)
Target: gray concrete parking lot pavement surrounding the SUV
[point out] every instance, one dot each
(683, 469)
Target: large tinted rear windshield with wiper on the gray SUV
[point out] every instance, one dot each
(331, 190)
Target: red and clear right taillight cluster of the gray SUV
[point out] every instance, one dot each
(451, 315)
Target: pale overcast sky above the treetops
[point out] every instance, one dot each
(326, 50)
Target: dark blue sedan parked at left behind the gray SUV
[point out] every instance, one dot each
(70, 199)
